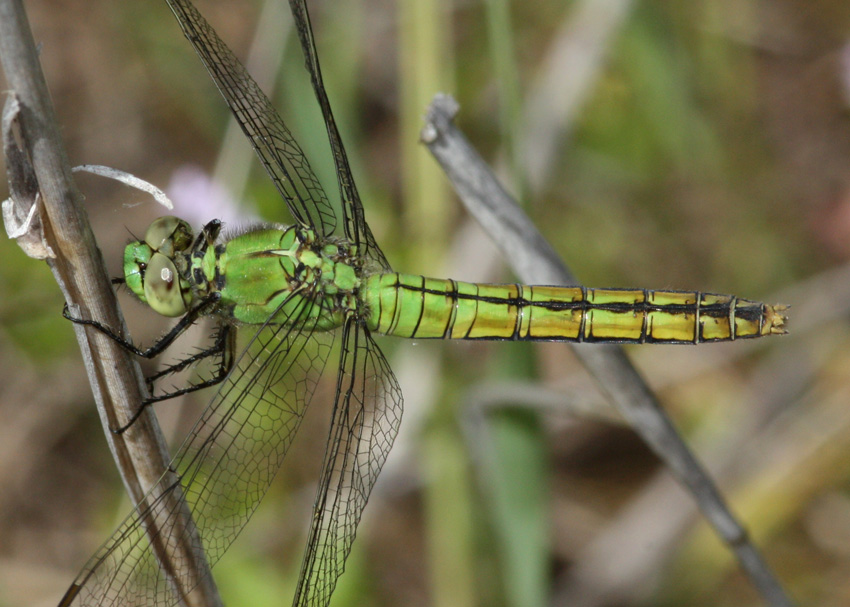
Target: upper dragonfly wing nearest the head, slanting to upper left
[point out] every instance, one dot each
(278, 151)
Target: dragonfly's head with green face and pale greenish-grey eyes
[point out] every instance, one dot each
(149, 267)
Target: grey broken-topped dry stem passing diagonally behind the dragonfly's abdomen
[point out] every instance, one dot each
(535, 262)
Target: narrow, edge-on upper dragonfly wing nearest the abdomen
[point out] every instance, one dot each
(356, 228)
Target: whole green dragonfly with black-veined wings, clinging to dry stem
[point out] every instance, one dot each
(309, 296)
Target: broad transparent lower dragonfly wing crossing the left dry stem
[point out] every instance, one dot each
(220, 473)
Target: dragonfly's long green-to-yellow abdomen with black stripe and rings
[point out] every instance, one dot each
(417, 307)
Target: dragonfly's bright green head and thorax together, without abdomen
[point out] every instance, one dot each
(278, 274)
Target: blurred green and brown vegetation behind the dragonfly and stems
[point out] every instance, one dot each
(700, 145)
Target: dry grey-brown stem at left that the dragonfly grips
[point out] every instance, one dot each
(140, 453)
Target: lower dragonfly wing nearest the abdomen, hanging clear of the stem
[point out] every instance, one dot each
(366, 416)
